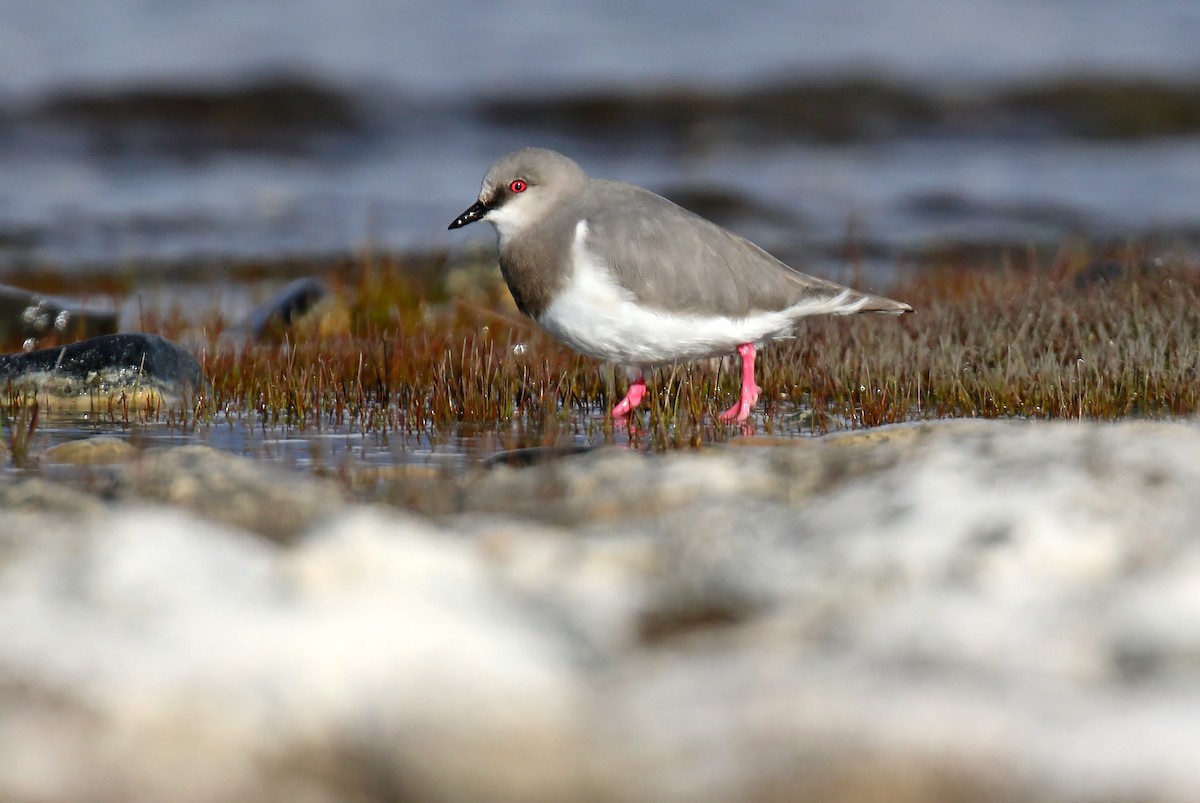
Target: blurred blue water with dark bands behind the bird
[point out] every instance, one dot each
(164, 134)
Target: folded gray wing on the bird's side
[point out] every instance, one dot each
(679, 262)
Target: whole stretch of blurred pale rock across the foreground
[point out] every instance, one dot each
(963, 612)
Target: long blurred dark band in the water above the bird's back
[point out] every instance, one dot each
(860, 109)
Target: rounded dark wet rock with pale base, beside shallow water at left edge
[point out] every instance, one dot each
(107, 364)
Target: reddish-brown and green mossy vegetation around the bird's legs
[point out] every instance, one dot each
(419, 349)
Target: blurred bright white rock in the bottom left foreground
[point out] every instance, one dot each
(214, 655)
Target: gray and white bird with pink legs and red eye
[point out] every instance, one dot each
(621, 274)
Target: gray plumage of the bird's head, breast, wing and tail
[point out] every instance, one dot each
(669, 259)
